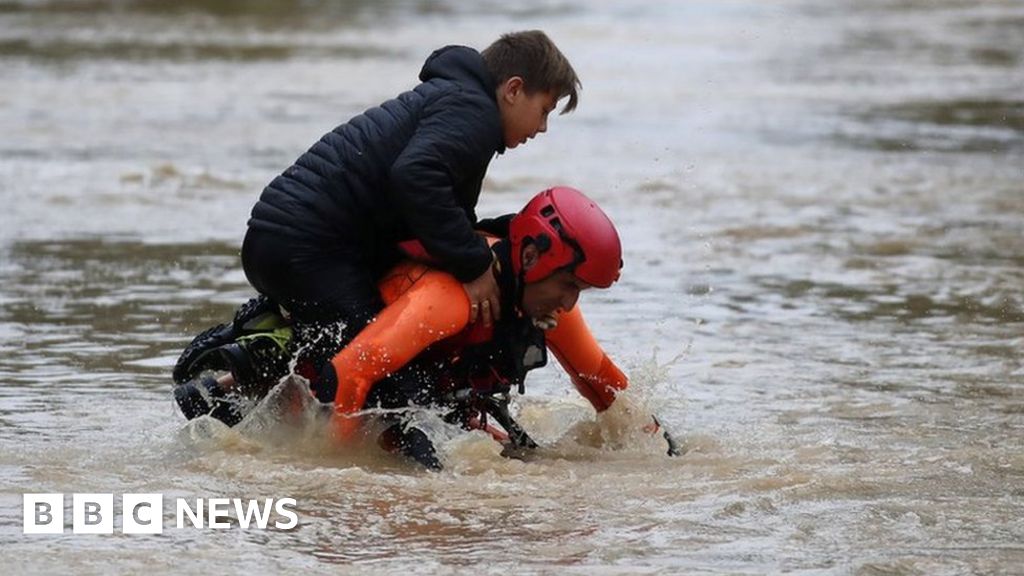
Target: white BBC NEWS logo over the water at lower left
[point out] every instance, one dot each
(144, 514)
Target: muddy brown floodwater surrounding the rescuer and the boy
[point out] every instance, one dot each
(823, 208)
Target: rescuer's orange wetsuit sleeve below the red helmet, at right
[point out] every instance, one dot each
(592, 372)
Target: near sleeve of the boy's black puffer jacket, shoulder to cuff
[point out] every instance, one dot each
(453, 144)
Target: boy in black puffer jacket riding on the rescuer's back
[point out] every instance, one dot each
(326, 230)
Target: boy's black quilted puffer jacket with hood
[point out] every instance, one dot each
(409, 169)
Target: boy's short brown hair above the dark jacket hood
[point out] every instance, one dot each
(533, 57)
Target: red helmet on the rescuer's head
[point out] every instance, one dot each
(572, 232)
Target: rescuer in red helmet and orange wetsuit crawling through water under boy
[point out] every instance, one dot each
(559, 245)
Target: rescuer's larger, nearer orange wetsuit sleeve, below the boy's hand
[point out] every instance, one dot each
(434, 308)
